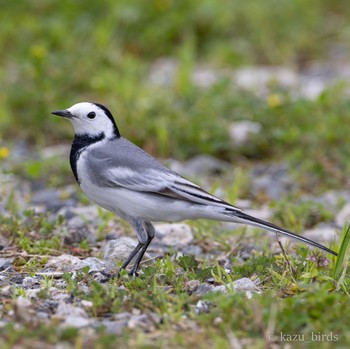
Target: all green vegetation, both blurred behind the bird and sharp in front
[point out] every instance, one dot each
(57, 53)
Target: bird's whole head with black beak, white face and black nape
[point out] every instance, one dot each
(91, 119)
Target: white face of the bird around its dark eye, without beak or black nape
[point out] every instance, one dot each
(87, 118)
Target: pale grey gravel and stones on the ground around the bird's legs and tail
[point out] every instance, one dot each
(82, 222)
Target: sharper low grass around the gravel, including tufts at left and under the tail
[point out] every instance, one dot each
(301, 293)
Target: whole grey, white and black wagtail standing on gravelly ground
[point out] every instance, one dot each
(124, 179)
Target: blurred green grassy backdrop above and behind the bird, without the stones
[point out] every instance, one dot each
(57, 53)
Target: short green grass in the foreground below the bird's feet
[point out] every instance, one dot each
(303, 302)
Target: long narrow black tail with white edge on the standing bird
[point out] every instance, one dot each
(242, 217)
